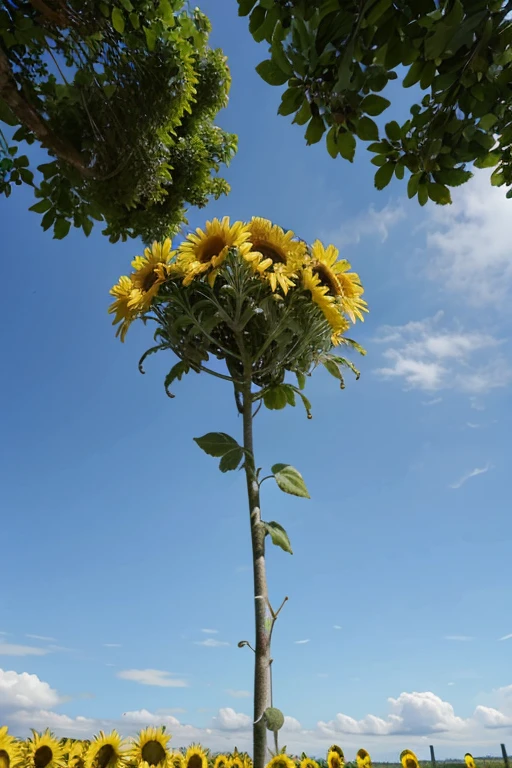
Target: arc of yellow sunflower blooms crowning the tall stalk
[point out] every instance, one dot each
(278, 257)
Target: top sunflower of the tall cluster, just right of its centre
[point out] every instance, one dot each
(274, 254)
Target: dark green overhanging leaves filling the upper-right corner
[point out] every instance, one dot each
(335, 56)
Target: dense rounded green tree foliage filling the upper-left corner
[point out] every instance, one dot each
(122, 94)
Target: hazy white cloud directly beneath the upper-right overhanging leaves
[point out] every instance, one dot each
(469, 242)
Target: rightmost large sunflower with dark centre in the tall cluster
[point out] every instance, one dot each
(334, 275)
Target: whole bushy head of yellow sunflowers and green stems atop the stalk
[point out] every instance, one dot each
(246, 293)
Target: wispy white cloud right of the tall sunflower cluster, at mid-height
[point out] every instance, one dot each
(426, 356)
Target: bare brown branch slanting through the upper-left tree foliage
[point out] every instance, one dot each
(32, 120)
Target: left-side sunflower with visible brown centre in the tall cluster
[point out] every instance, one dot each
(151, 270)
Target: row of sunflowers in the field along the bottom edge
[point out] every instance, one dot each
(150, 749)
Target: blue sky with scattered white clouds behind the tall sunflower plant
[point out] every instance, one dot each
(122, 543)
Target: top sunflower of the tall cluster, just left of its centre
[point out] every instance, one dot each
(204, 251)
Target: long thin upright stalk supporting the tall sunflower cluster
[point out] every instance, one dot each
(262, 646)
